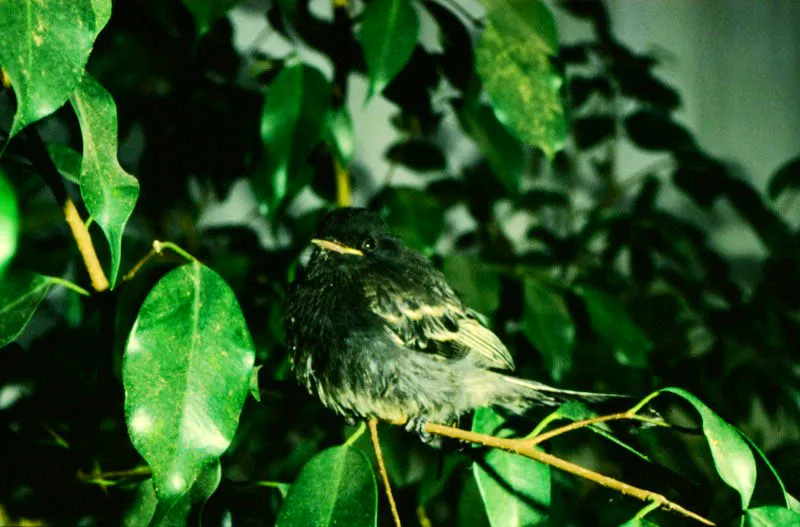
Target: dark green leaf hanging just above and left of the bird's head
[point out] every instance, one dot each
(291, 126)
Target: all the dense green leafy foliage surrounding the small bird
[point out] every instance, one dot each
(595, 282)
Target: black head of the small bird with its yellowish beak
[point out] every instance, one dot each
(355, 235)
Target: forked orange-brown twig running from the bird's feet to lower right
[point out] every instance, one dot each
(525, 447)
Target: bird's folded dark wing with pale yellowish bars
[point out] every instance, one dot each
(435, 321)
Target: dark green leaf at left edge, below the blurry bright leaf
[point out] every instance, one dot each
(20, 295)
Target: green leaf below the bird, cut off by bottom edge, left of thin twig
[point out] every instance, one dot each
(337, 487)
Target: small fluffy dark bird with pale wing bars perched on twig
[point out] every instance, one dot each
(374, 330)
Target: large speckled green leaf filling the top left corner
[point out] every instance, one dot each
(44, 47)
